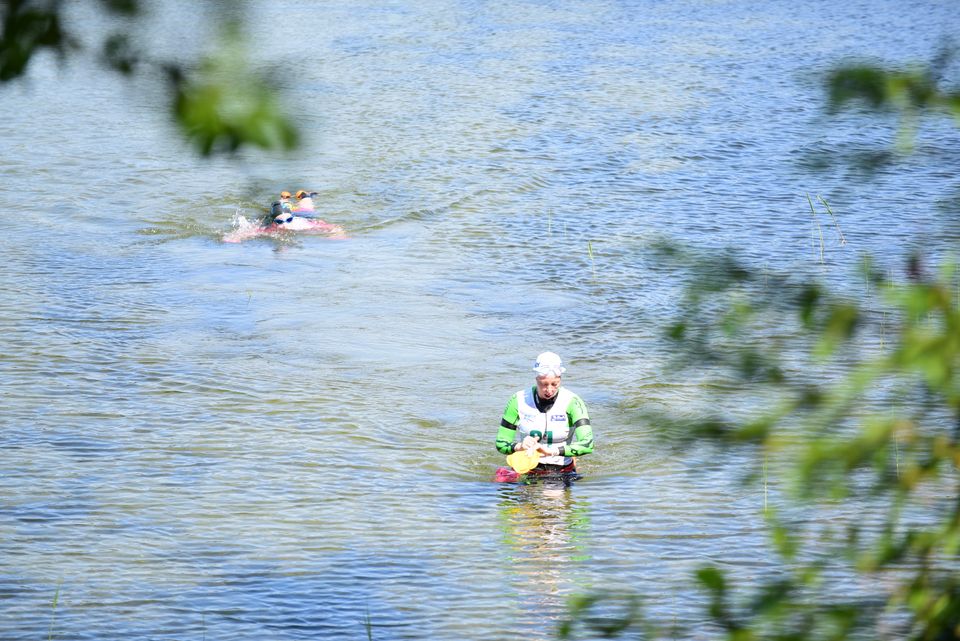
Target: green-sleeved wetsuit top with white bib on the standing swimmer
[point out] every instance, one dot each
(563, 422)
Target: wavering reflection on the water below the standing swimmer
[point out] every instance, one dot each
(546, 528)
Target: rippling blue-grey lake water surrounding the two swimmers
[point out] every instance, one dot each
(293, 438)
